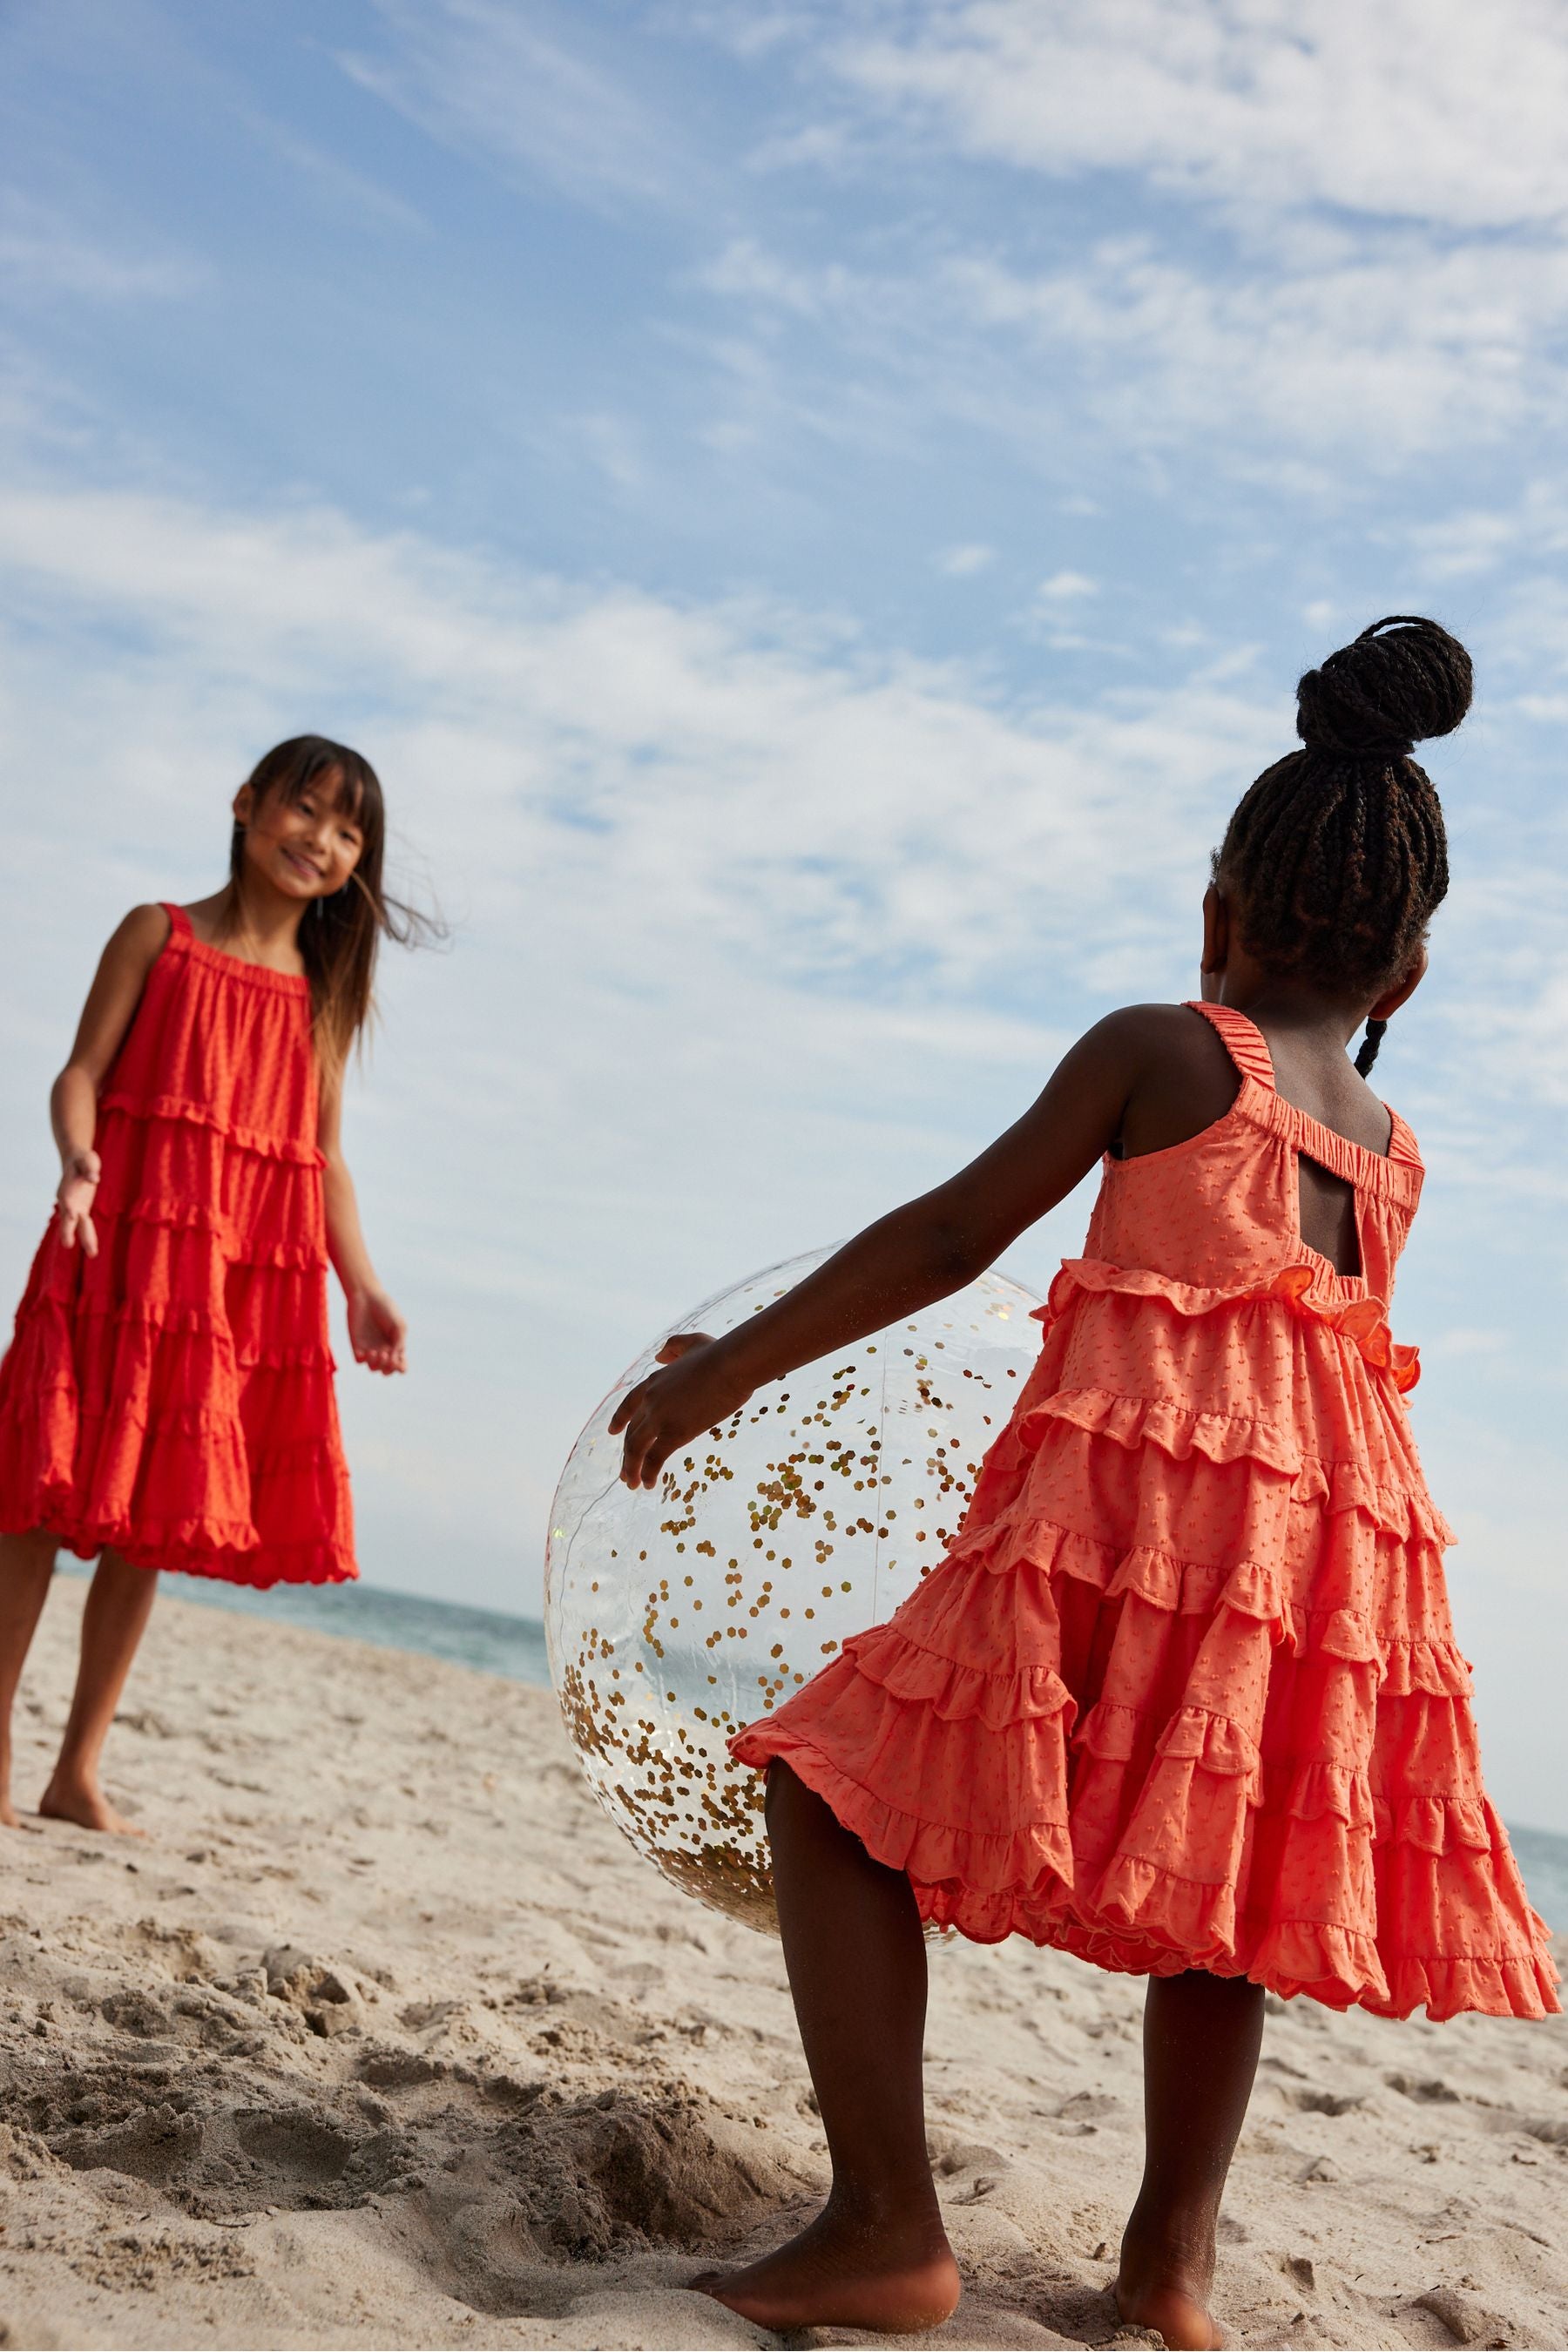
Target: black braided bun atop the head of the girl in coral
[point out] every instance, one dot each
(1386, 693)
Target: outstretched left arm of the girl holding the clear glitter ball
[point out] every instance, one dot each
(930, 1248)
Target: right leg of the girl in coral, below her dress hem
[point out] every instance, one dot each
(1200, 2054)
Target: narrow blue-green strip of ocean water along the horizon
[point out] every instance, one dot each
(516, 1648)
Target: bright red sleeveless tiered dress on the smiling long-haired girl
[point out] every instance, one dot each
(173, 1398)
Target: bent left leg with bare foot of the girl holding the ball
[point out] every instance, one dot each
(876, 2257)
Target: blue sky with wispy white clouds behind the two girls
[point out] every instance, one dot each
(817, 514)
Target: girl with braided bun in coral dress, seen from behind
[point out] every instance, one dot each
(1184, 1697)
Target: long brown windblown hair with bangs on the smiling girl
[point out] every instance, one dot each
(342, 933)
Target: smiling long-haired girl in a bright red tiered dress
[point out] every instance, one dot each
(168, 1396)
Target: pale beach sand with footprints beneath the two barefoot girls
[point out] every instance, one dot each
(387, 2038)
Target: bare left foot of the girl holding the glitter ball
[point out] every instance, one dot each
(850, 2273)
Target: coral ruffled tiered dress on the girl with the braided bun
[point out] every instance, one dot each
(1186, 1688)
